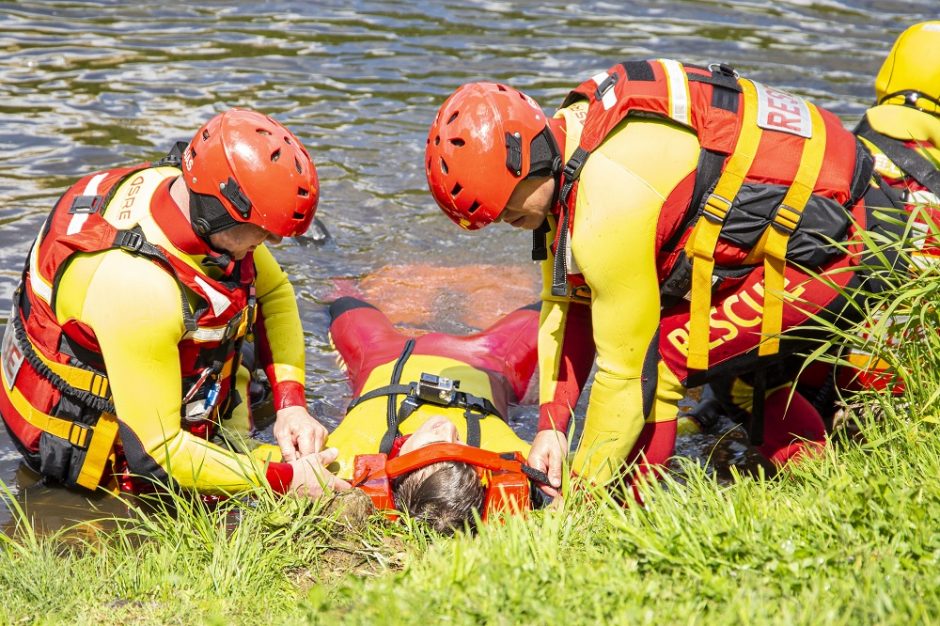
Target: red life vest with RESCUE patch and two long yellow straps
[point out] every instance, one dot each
(777, 180)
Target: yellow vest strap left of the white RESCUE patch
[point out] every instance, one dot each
(704, 237)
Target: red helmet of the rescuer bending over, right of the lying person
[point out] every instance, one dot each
(486, 138)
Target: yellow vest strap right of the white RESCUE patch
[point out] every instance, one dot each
(778, 233)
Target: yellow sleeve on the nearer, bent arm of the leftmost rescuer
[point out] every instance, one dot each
(135, 311)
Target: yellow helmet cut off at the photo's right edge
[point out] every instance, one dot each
(913, 65)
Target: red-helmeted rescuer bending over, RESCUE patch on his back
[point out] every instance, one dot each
(673, 206)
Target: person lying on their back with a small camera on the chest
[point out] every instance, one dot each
(467, 383)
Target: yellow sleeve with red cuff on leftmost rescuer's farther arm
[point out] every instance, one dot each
(279, 333)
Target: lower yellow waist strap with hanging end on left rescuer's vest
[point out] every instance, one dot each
(97, 441)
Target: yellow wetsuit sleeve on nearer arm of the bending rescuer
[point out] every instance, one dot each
(623, 187)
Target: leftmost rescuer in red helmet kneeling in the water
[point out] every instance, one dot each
(120, 362)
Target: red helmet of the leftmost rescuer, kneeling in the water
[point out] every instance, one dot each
(242, 166)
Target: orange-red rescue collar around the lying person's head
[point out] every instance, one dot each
(505, 477)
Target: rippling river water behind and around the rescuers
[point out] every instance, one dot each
(93, 85)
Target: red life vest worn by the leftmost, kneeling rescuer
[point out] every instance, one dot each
(55, 398)
